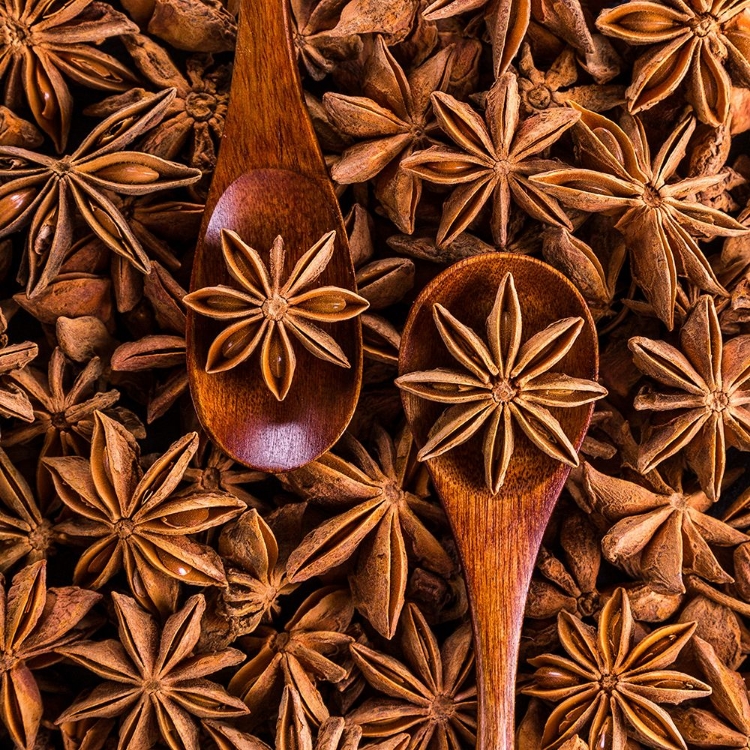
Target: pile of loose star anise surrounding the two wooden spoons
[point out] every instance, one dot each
(156, 594)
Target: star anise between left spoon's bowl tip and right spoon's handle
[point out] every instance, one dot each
(384, 522)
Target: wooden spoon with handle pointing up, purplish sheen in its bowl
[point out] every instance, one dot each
(271, 180)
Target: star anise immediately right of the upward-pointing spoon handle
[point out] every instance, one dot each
(392, 119)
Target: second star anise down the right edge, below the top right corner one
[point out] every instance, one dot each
(653, 210)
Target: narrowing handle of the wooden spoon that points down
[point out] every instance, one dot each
(497, 578)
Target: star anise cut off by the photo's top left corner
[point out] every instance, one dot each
(41, 41)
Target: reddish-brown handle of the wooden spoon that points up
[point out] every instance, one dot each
(267, 126)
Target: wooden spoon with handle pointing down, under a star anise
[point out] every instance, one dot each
(498, 536)
